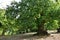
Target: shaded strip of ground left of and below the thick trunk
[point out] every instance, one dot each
(22, 37)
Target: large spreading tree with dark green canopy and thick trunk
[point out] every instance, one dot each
(28, 13)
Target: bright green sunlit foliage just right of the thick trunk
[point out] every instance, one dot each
(53, 25)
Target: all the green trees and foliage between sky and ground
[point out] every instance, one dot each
(30, 16)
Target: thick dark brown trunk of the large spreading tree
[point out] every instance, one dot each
(41, 29)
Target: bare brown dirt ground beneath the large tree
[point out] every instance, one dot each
(29, 36)
